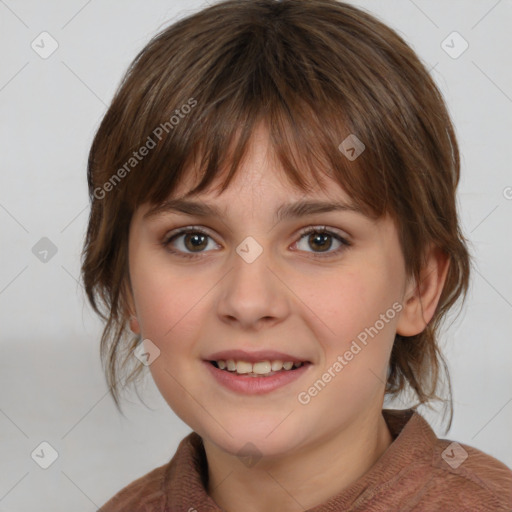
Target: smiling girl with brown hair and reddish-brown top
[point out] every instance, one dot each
(273, 194)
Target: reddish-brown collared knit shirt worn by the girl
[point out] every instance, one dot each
(418, 472)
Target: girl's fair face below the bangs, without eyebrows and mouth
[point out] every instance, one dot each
(330, 298)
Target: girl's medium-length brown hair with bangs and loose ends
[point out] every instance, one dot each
(315, 71)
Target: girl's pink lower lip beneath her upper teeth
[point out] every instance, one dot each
(255, 385)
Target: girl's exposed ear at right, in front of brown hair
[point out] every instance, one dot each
(421, 299)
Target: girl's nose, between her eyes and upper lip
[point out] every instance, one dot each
(253, 294)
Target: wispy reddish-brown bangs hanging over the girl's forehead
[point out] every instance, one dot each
(209, 152)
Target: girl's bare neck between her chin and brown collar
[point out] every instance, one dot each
(308, 478)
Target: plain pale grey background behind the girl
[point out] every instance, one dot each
(51, 385)
